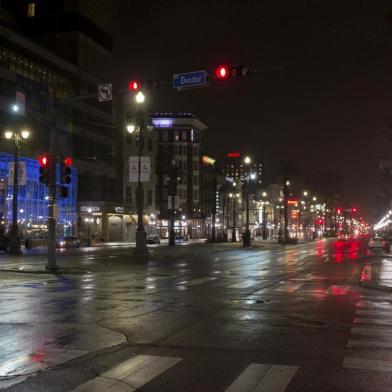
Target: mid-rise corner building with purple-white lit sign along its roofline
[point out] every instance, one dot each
(179, 137)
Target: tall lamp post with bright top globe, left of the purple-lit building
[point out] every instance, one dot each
(138, 128)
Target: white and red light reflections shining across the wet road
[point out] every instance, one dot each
(48, 320)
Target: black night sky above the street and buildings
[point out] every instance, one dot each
(323, 100)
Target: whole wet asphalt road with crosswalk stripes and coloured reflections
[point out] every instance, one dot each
(198, 318)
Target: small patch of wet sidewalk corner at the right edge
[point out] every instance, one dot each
(377, 275)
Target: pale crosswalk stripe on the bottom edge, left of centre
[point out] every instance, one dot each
(129, 375)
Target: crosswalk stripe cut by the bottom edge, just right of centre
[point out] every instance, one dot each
(263, 378)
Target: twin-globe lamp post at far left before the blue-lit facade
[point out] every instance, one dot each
(16, 136)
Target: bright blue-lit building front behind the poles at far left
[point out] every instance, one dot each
(33, 198)
